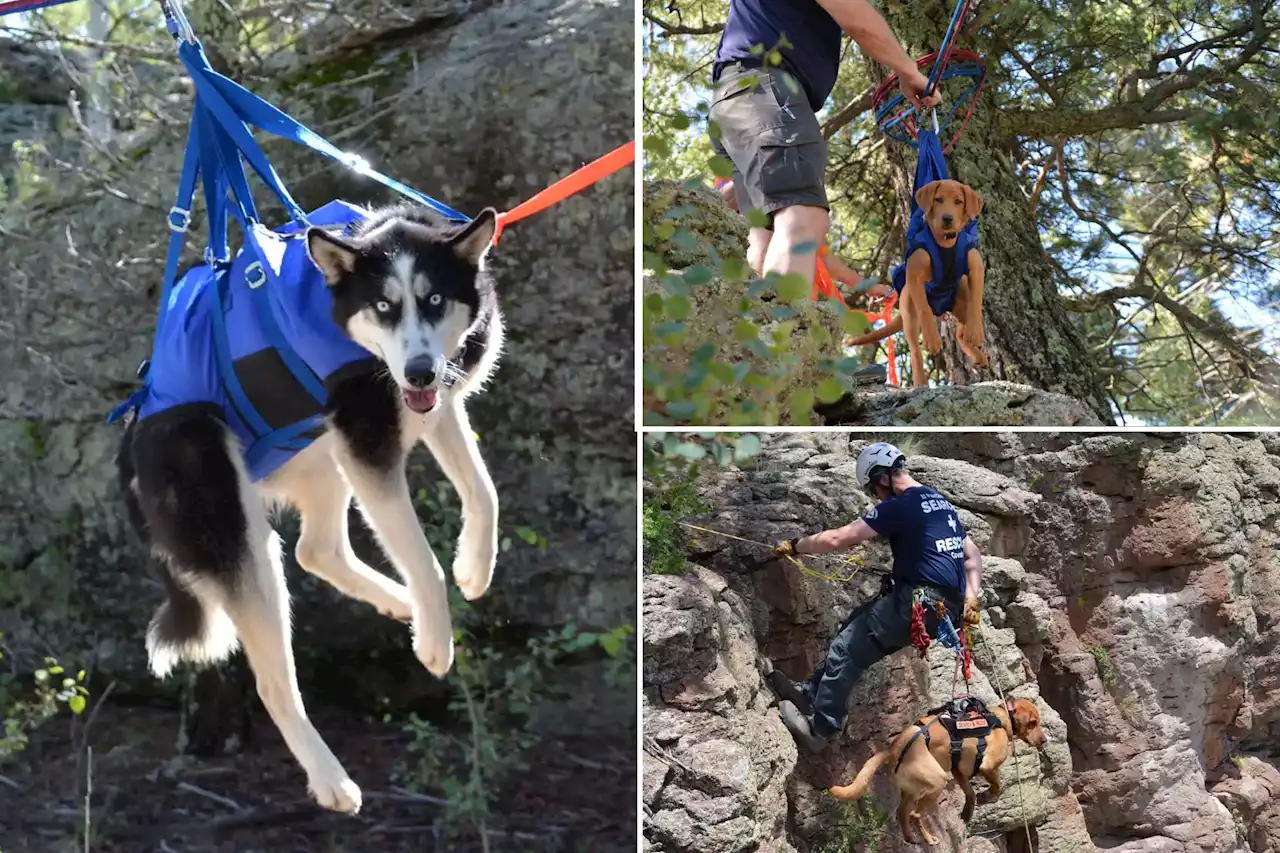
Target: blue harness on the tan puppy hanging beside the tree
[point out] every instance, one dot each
(949, 266)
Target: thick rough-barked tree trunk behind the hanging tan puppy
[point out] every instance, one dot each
(1030, 335)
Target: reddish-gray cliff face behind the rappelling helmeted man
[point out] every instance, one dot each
(1130, 591)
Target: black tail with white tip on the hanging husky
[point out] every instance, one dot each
(190, 626)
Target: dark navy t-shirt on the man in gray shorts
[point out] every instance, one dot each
(815, 37)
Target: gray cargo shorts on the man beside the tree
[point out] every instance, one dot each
(772, 136)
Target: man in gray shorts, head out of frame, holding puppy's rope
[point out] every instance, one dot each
(775, 67)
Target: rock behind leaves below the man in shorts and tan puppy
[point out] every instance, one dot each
(692, 227)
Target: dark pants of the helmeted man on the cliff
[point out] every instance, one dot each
(875, 631)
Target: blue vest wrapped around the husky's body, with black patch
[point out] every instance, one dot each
(255, 344)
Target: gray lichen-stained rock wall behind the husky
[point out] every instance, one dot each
(484, 106)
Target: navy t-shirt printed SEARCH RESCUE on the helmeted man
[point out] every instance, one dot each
(926, 536)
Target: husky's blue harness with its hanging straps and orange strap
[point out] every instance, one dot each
(266, 290)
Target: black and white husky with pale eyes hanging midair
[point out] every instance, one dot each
(415, 294)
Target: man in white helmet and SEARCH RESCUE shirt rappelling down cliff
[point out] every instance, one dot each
(932, 556)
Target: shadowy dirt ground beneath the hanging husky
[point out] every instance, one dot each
(147, 801)
